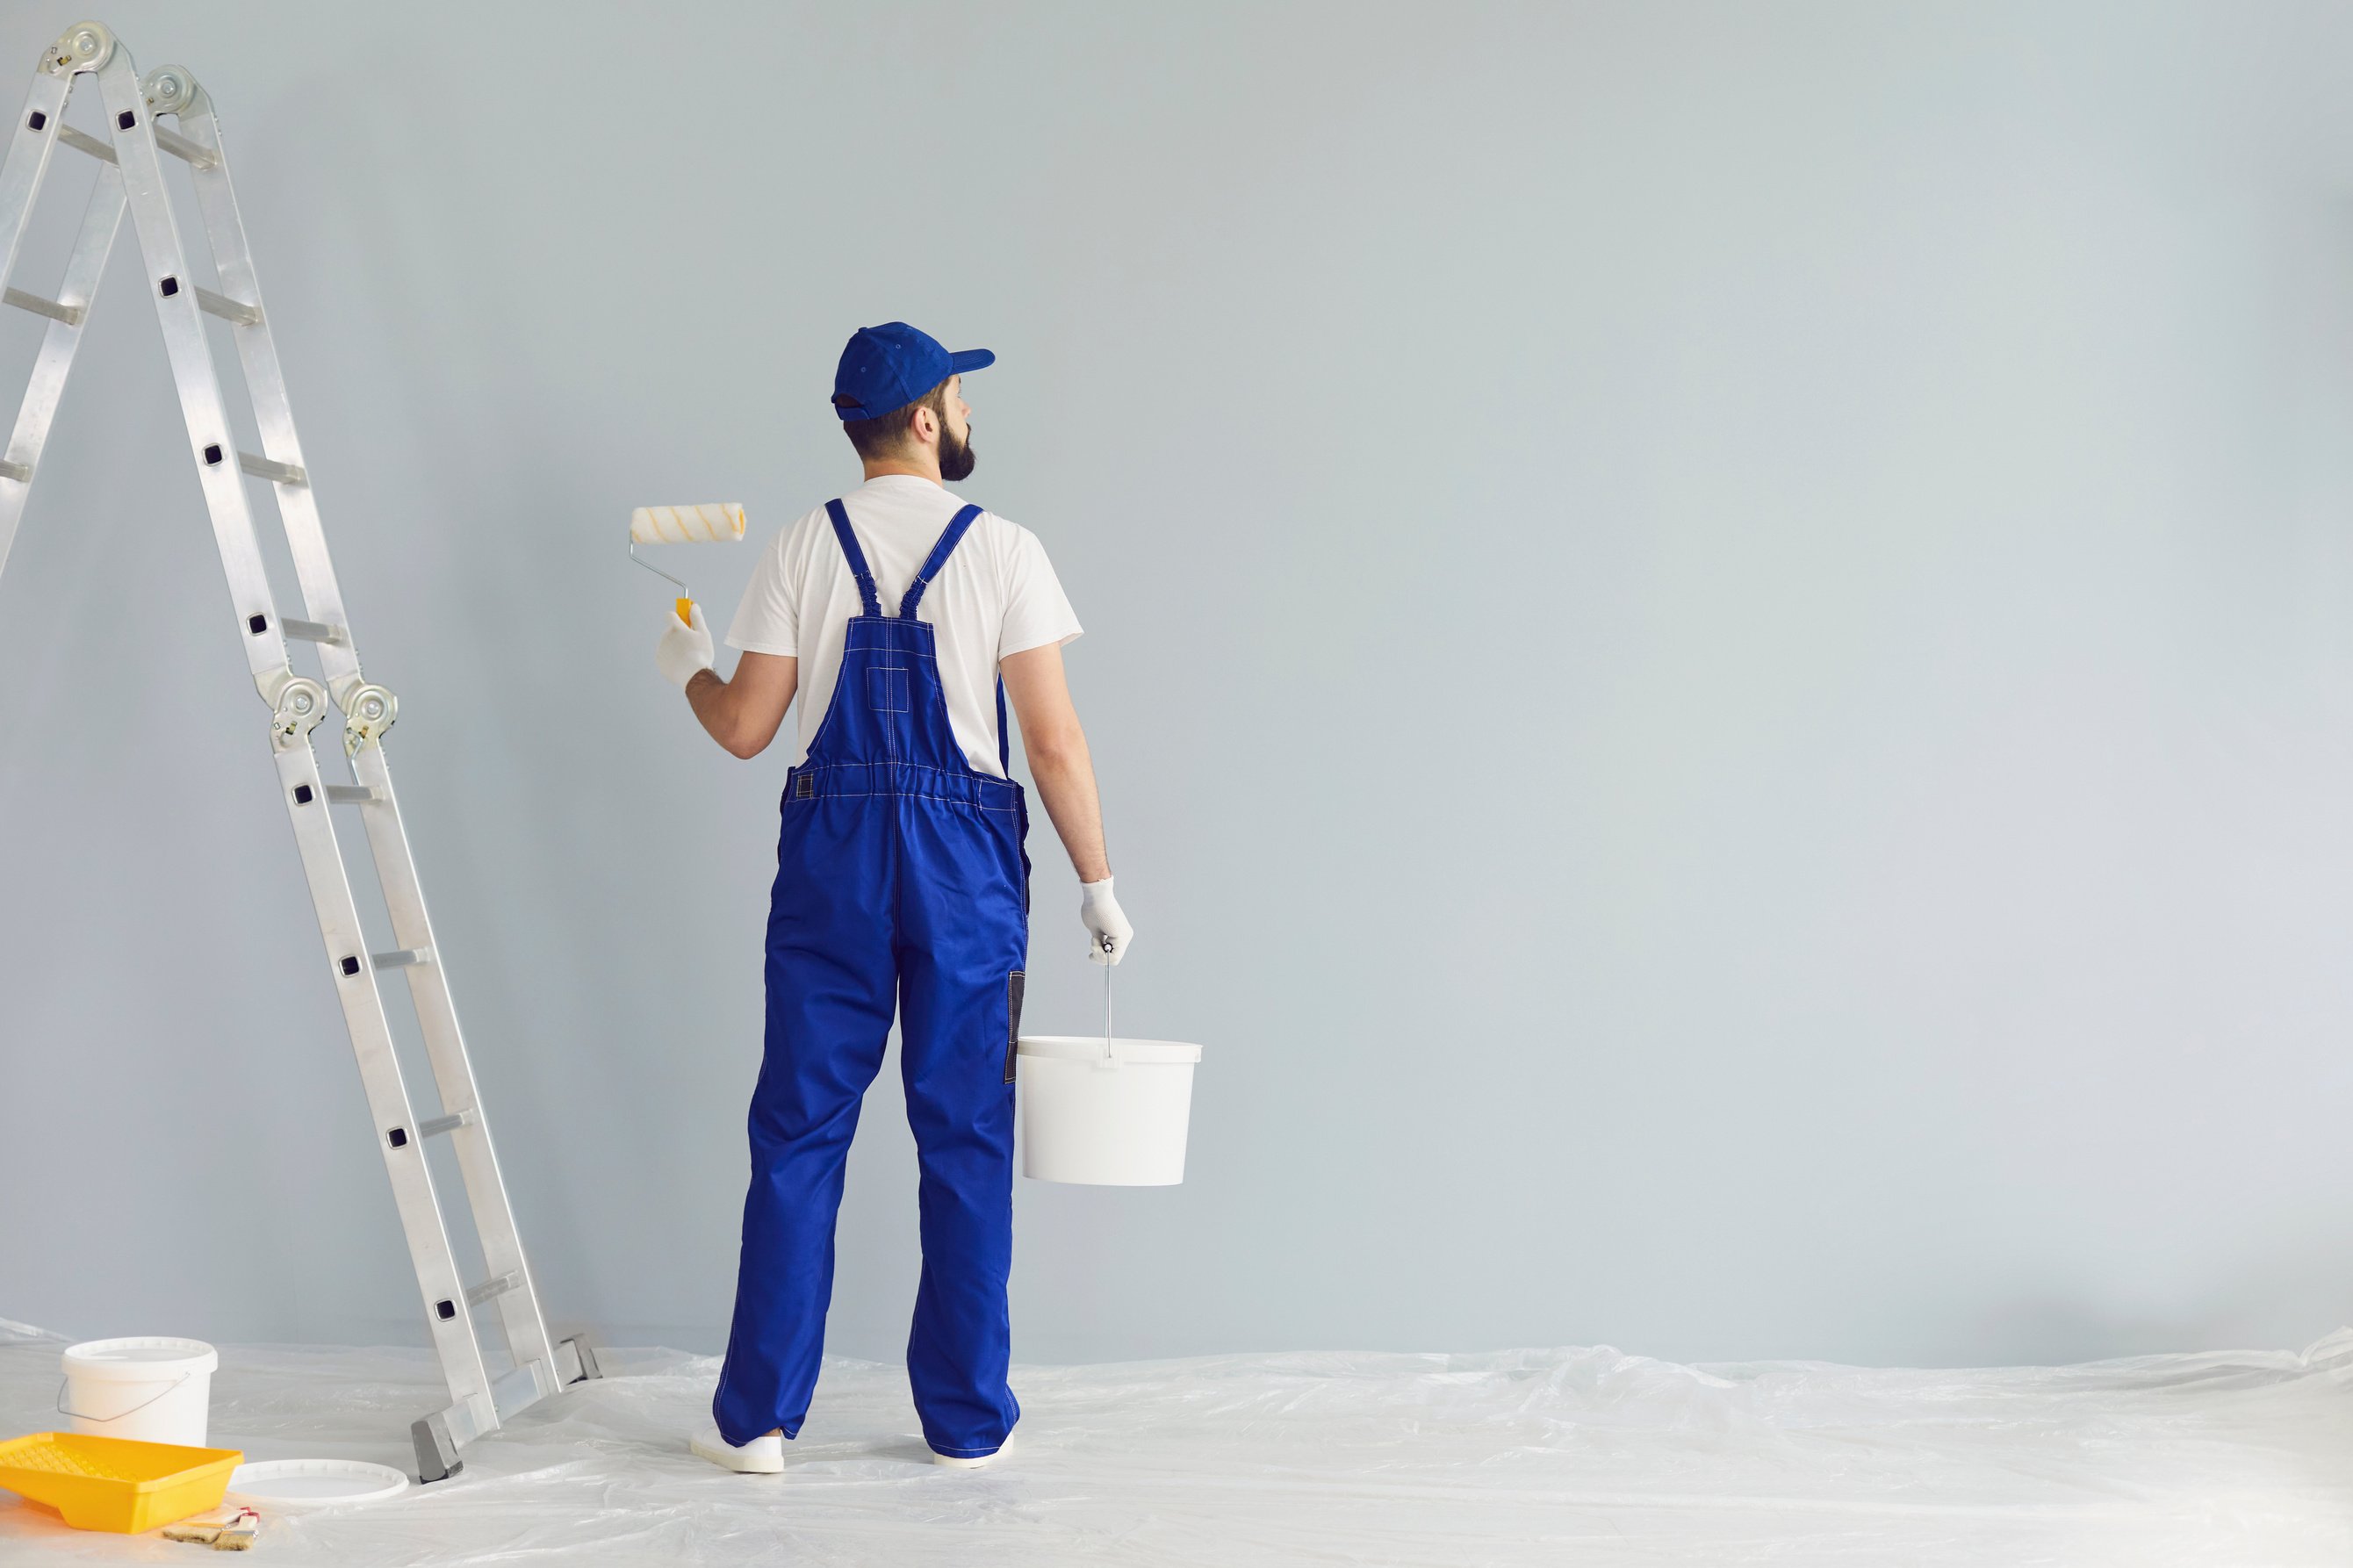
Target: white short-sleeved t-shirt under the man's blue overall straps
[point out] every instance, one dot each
(996, 597)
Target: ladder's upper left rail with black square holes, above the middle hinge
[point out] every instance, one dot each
(192, 368)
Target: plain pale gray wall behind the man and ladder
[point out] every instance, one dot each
(1719, 656)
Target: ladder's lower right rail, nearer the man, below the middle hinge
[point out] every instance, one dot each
(453, 1072)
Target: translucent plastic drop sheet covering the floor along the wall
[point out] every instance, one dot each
(1552, 1456)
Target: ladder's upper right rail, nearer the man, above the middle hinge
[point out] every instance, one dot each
(265, 383)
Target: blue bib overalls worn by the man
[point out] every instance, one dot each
(902, 884)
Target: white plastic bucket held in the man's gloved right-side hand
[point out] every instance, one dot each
(1107, 1119)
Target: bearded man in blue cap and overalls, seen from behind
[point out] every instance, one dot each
(902, 884)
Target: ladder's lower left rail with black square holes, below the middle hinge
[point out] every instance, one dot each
(439, 1280)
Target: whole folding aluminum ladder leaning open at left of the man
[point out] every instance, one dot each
(131, 175)
